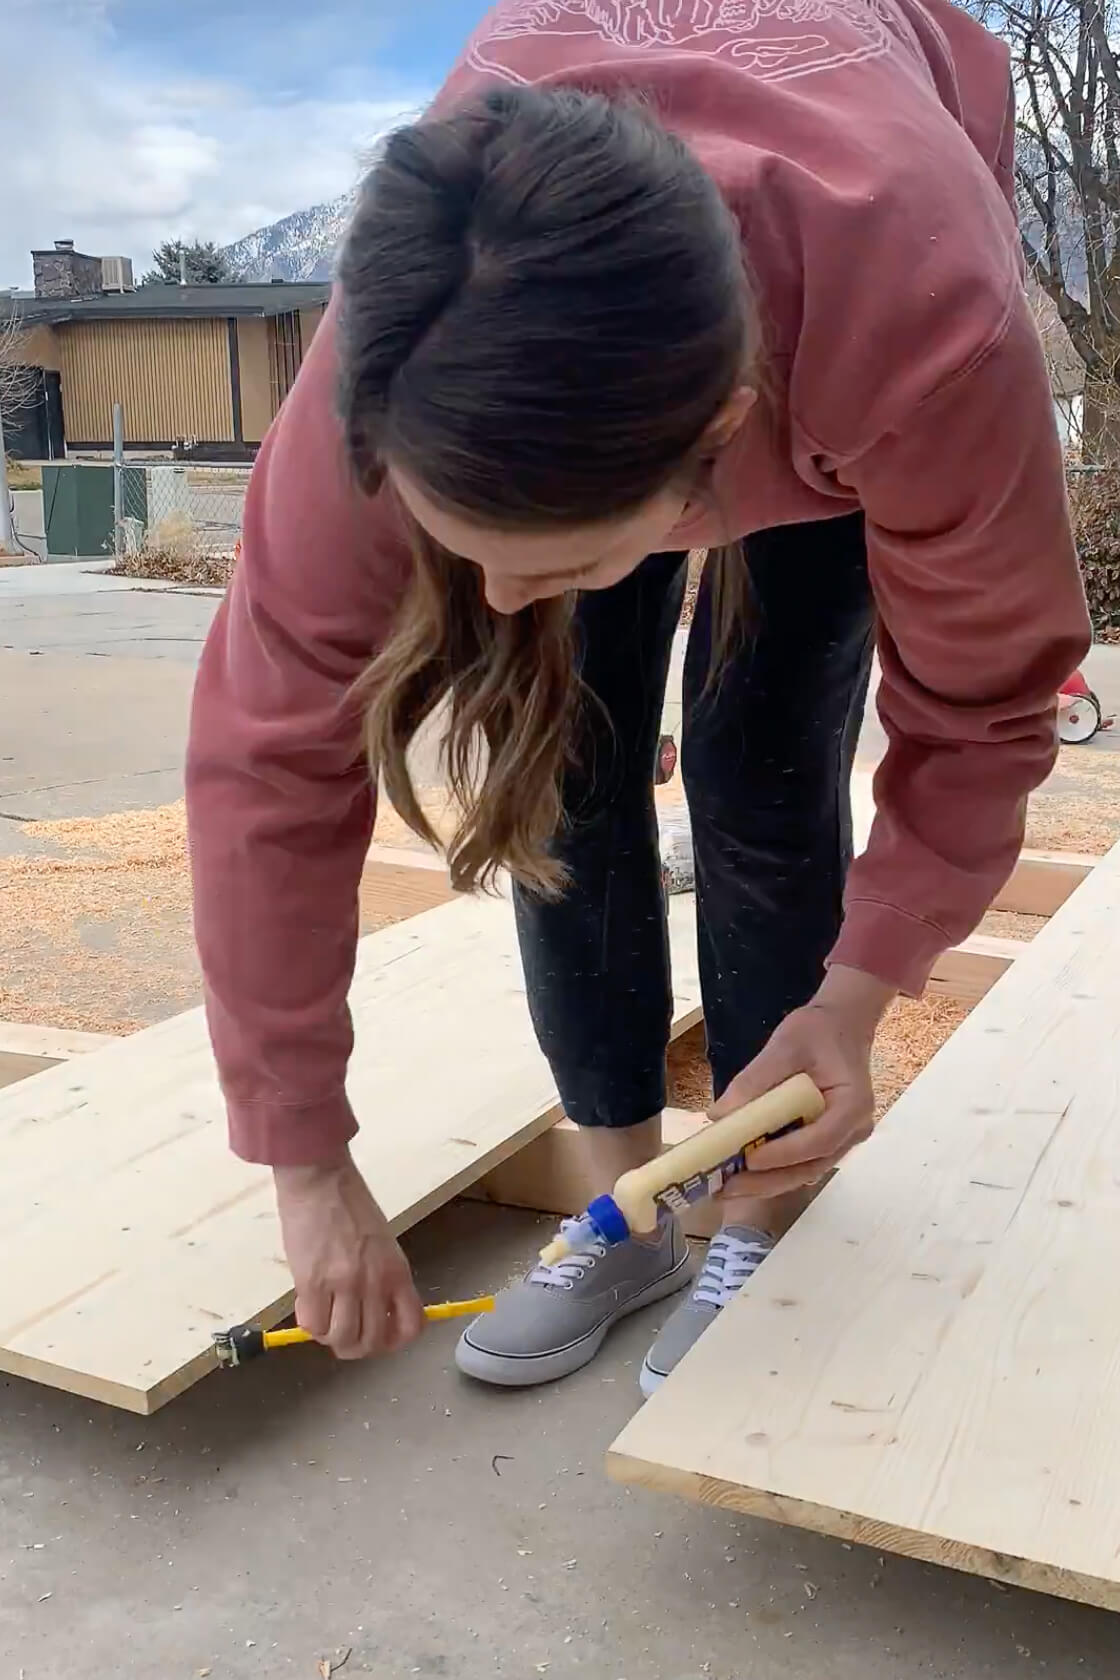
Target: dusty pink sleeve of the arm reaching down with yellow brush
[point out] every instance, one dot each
(278, 790)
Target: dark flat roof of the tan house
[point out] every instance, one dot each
(170, 303)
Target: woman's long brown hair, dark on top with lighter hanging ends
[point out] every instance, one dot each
(543, 308)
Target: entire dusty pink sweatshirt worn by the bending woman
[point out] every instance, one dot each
(866, 147)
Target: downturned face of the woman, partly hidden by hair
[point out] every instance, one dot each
(523, 567)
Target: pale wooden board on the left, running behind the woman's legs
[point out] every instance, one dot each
(128, 1232)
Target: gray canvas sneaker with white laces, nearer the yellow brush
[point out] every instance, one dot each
(557, 1320)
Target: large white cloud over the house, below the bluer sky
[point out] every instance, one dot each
(120, 155)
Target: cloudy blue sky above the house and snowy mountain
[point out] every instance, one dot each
(130, 122)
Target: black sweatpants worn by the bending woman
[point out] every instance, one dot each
(767, 760)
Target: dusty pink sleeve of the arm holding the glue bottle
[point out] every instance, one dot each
(981, 619)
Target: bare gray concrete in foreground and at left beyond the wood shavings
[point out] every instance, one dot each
(278, 1520)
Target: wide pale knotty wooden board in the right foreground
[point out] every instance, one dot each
(929, 1362)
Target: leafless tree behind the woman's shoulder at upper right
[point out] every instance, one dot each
(1067, 73)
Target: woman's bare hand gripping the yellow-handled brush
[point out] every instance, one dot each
(353, 1286)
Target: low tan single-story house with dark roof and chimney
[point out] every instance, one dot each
(201, 370)
